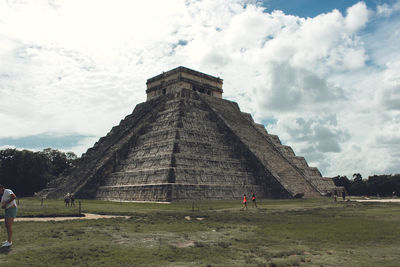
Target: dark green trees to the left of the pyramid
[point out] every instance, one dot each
(27, 172)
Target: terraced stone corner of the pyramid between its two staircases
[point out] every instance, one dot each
(183, 154)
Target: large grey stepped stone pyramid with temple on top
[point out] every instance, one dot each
(184, 143)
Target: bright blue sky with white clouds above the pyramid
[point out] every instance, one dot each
(322, 75)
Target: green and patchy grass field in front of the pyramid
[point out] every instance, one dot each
(311, 232)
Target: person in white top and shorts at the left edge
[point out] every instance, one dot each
(10, 206)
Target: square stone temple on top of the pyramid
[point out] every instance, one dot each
(183, 78)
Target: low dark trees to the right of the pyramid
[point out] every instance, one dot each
(383, 185)
